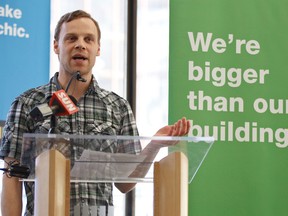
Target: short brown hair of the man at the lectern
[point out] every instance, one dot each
(68, 17)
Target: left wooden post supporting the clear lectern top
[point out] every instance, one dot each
(52, 184)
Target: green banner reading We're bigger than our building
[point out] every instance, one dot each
(228, 76)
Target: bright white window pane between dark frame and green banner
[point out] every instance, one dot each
(152, 81)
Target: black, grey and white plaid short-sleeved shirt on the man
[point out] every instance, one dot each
(100, 112)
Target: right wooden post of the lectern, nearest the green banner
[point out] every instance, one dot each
(171, 185)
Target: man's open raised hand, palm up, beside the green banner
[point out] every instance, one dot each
(180, 128)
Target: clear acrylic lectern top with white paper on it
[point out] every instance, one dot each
(89, 154)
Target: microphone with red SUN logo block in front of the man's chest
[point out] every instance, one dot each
(60, 104)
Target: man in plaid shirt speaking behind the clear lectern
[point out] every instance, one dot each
(77, 44)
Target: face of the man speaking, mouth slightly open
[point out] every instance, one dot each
(78, 46)
